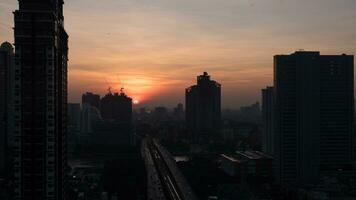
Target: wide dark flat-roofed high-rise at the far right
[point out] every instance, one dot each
(314, 111)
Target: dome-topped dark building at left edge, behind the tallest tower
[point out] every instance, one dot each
(6, 70)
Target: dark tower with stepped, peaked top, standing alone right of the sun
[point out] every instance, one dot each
(203, 107)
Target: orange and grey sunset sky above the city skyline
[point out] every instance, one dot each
(156, 48)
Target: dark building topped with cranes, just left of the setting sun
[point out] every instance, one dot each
(117, 107)
